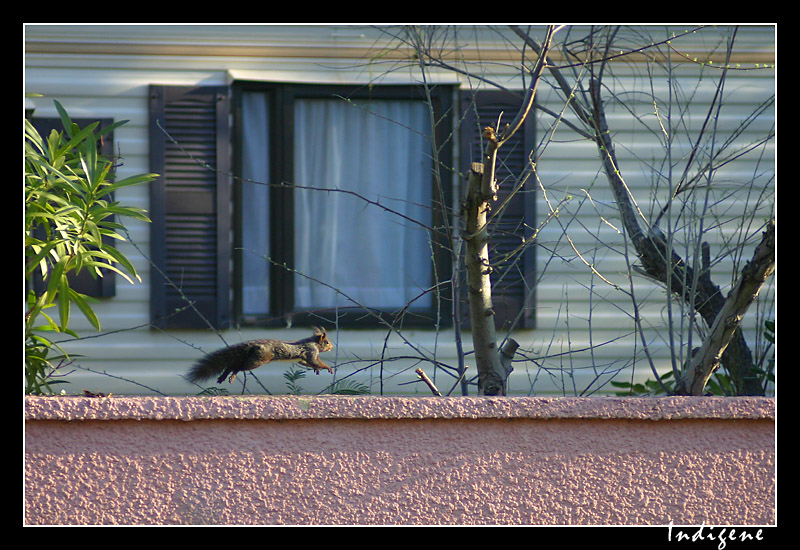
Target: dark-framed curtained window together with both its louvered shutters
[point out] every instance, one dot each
(313, 204)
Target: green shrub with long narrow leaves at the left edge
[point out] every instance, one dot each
(69, 210)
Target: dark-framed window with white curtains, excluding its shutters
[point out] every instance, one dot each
(350, 234)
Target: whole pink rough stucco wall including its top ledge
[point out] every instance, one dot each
(391, 460)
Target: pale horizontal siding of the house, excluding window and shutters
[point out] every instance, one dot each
(569, 298)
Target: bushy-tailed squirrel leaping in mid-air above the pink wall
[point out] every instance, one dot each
(227, 362)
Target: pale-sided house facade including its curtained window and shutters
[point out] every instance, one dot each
(312, 175)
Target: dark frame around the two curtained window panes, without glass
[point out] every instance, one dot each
(281, 138)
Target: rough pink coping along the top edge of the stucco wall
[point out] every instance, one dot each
(396, 408)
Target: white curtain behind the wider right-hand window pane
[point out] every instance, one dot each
(379, 151)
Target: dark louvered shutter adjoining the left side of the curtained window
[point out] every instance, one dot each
(190, 206)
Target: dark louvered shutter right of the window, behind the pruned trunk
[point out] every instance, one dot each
(513, 266)
